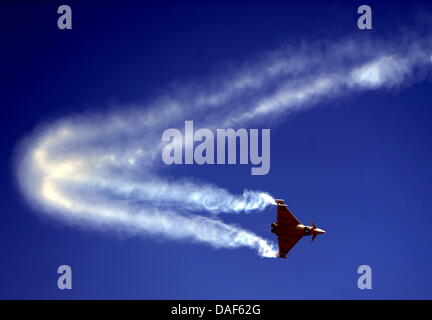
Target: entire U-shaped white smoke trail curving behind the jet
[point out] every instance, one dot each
(105, 170)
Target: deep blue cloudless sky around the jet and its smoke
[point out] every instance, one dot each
(357, 164)
